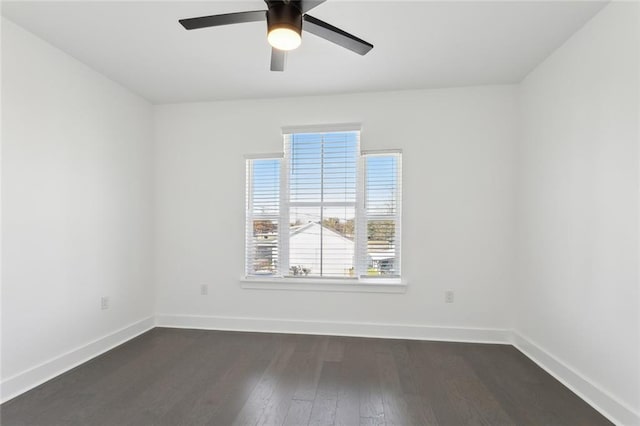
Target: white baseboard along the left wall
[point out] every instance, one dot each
(29, 379)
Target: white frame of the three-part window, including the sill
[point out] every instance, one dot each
(361, 282)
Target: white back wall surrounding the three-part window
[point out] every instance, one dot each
(458, 204)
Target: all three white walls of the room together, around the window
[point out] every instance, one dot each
(78, 206)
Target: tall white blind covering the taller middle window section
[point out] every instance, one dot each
(322, 173)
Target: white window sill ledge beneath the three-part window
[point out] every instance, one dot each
(390, 285)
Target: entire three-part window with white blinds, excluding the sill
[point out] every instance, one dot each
(324, 209)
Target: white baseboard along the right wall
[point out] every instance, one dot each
(612, 408)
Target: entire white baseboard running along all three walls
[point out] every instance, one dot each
(612, 408)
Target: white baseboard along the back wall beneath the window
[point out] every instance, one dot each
(355, 329)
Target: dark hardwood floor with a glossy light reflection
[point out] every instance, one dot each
(192, 377)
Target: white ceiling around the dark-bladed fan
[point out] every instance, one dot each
(418, 44)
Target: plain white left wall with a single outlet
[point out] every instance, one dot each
(76, 208)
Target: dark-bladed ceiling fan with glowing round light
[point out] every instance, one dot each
(285, 21)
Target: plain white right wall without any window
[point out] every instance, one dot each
(578, 214)
